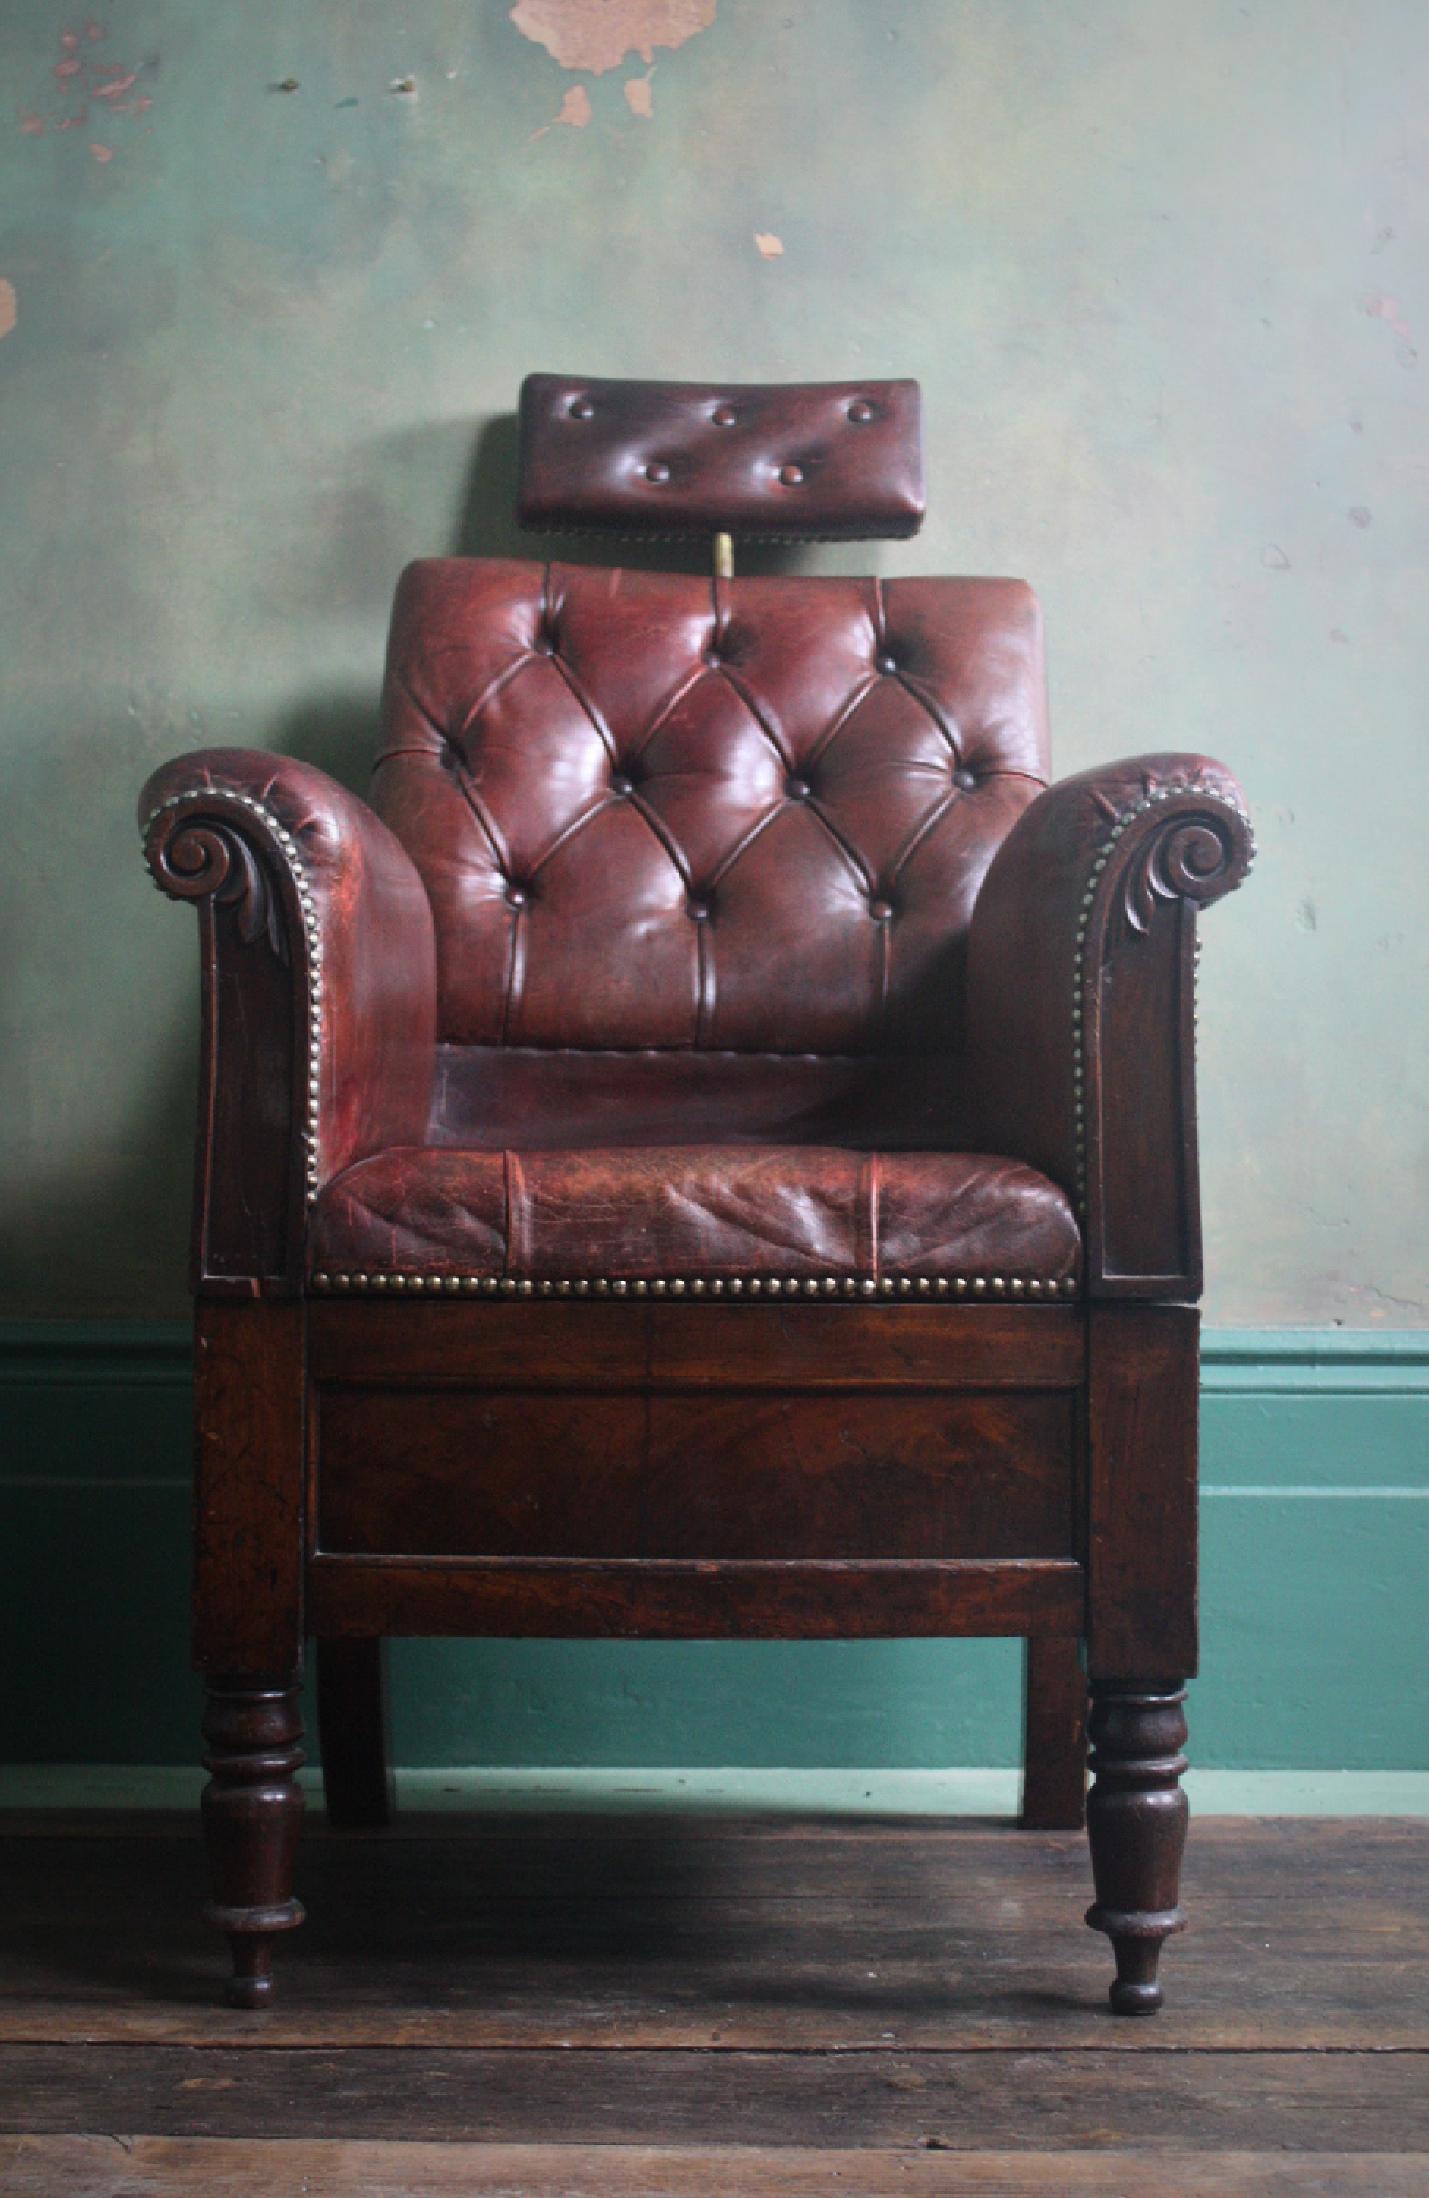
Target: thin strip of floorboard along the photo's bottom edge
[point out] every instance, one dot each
(331, 2168)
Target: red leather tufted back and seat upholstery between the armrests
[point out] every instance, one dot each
(702, 861)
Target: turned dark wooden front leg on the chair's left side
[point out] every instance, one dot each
(252, 1812)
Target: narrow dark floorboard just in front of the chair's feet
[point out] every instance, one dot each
(1342, 2102)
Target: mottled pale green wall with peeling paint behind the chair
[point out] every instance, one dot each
(1162, 271)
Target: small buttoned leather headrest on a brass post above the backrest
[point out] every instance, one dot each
(775, 460)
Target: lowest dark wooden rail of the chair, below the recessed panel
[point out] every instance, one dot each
(687, 1599)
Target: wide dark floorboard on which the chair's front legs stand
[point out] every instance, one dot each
(709, 1933)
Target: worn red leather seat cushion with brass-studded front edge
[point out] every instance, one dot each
(678, 1212)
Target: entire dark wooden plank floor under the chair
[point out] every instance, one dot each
(632, 2006)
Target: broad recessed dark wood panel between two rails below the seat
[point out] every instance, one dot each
(696, 1478)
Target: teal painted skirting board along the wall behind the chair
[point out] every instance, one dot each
(1316, 1623)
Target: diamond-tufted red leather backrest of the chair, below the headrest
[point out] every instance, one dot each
(658, 812)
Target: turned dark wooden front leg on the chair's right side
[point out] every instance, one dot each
(1136, 1821)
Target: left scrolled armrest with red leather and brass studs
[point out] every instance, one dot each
(318, 997)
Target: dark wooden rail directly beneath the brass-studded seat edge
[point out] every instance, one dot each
(771, 1346)
